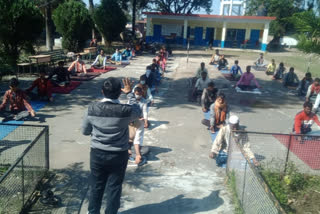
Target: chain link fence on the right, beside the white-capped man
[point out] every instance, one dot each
(276, 154)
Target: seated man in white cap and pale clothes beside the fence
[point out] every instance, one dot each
(222, 141)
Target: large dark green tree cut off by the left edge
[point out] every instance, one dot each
(21, 25)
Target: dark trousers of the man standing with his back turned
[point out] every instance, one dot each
(107, 168)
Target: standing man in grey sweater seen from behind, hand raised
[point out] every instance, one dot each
(107, 122)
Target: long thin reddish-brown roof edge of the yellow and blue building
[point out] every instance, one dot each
(212, 16)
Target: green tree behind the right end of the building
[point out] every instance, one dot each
(281, 9)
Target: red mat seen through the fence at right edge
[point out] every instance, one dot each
(308, 151)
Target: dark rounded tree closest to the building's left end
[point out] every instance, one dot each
(110, 20)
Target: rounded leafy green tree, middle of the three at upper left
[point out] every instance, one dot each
(73, 22)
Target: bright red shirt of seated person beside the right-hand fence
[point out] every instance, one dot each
(305, 121)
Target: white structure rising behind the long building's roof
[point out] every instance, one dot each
(232, 7)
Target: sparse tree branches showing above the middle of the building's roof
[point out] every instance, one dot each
(180, 6)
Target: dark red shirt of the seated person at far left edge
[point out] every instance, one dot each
(17, 101)
